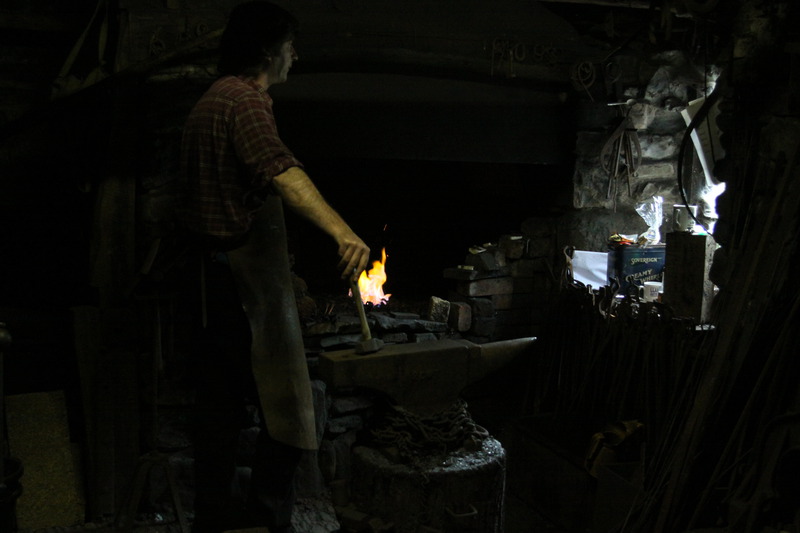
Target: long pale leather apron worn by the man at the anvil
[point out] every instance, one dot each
(262, 273)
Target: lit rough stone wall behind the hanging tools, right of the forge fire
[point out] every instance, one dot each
(653, 107)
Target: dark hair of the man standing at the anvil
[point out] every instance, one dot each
(255, 32)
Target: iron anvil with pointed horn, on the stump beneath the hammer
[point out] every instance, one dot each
(424, 377)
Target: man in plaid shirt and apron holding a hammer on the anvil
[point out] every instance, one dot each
(238, 174)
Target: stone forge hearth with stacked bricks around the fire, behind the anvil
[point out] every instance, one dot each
(498, 291)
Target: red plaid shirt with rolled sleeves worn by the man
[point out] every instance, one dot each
(229, 154)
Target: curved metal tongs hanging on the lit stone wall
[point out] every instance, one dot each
(622, 151)
